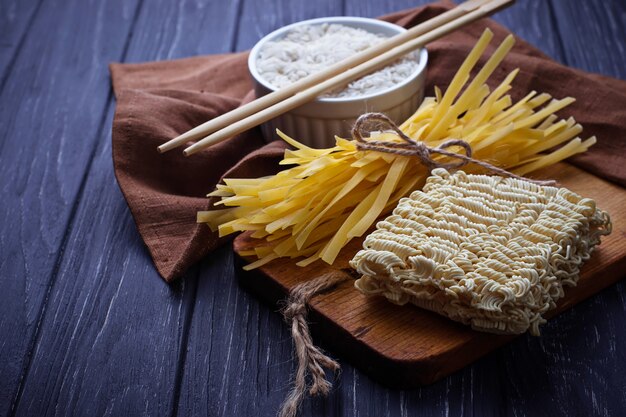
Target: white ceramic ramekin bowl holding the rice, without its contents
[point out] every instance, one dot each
(316, 123)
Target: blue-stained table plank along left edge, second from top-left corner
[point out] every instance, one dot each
(50, 124)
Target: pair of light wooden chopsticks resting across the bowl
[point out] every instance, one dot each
(289, 97)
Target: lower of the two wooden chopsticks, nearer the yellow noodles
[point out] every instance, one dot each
(435, 31)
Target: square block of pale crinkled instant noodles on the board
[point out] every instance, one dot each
(488, 251)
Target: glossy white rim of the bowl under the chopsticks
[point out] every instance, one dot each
(422, 56)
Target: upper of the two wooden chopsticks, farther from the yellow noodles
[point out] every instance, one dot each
(263, 102)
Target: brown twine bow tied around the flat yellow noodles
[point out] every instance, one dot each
(411, 147)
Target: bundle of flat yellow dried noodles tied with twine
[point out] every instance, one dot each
(333, 195)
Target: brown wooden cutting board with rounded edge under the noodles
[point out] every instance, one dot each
(407, 346)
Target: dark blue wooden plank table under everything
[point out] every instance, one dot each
(88, 328)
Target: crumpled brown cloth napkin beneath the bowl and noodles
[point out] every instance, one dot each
(156, 101)
